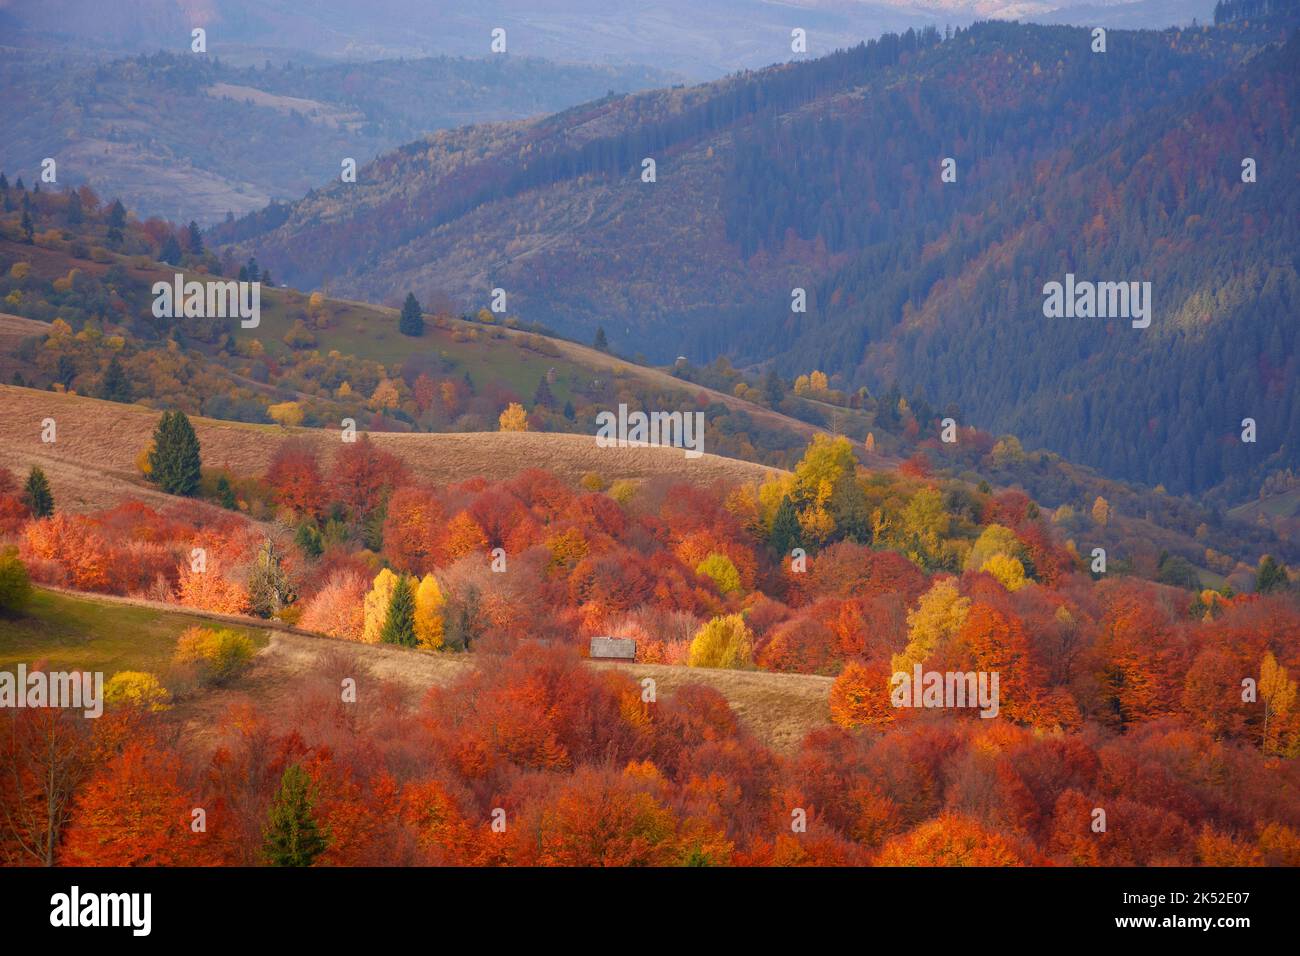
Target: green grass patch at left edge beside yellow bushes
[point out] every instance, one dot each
(72, 633)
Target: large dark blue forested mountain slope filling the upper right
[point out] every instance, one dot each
(1124, 166)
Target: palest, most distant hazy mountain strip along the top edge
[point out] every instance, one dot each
(700, 41)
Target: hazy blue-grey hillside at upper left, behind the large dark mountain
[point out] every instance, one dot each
(187, 136)
